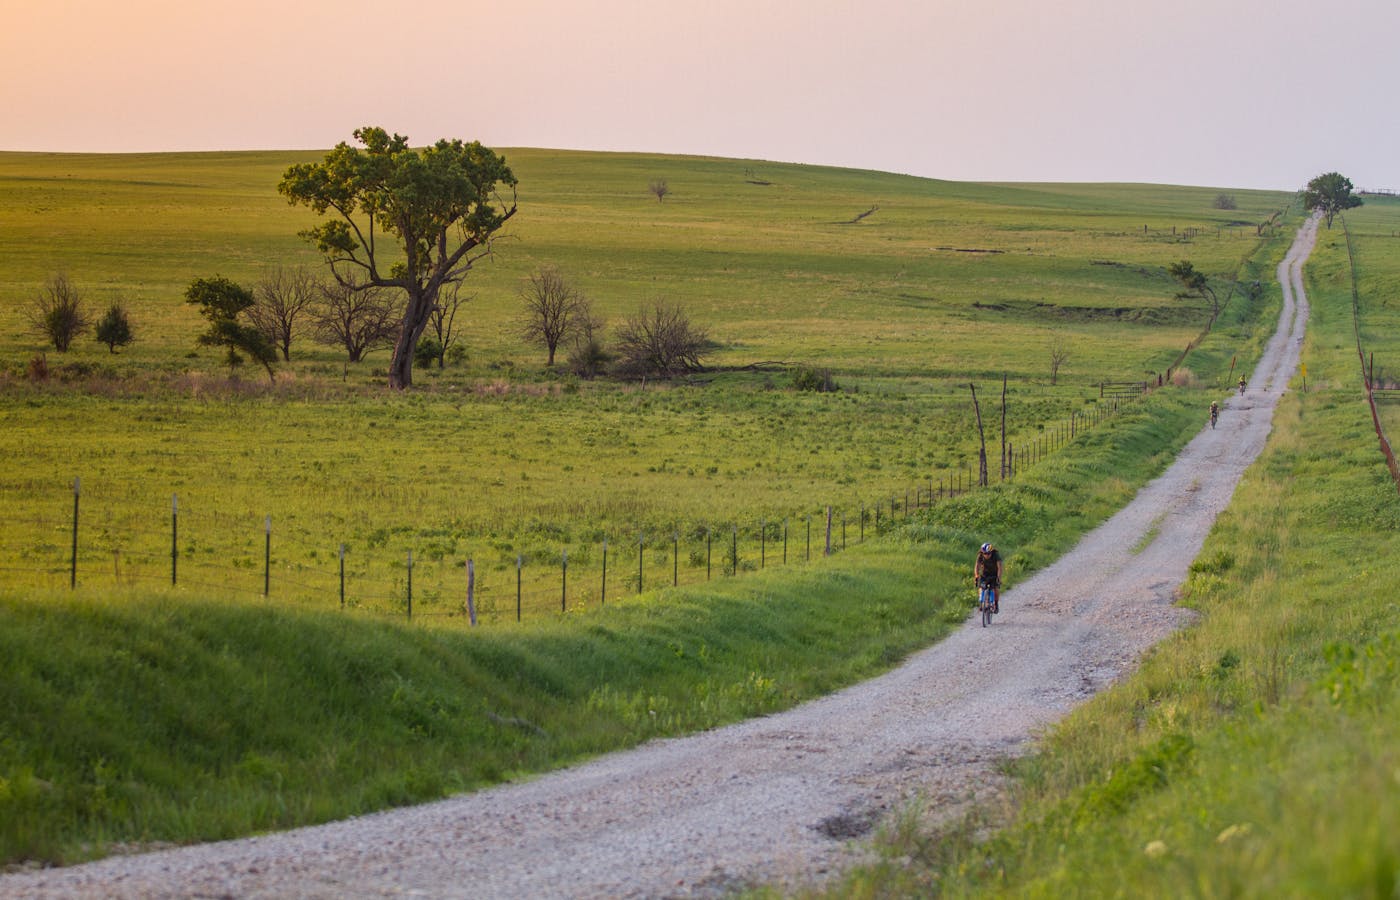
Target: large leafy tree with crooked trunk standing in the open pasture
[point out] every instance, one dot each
(443, 205)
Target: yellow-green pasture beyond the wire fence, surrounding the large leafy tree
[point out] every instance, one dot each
(498, 461)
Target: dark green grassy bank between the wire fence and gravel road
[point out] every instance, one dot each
(134, 720)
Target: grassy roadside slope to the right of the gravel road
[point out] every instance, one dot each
(1255, 754)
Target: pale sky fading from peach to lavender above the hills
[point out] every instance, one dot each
(1216, 93)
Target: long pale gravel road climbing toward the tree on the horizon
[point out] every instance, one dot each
(780, 799)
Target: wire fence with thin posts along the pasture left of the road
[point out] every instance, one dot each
(185, 551)
